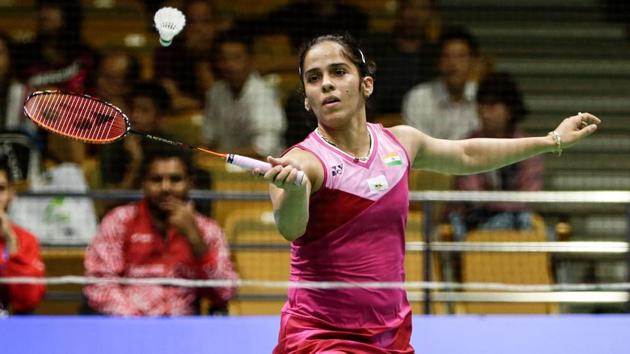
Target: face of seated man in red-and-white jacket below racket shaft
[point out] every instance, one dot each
(165, 178)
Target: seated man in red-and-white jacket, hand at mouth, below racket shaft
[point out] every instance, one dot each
(160, 236)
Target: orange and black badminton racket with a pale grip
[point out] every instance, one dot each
(95, 121)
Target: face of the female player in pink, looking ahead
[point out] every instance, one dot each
(334, 90)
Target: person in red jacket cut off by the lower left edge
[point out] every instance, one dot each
(19, 256)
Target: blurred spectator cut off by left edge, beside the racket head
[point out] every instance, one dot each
(12, 92)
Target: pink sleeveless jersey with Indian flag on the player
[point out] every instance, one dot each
(355, 234)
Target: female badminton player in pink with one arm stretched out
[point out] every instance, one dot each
(346, 220)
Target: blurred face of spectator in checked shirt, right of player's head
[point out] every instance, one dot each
(456, 63)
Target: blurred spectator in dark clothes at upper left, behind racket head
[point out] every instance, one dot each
(58, 59)
